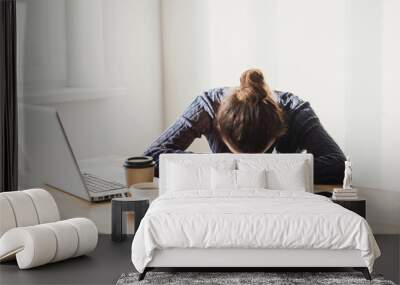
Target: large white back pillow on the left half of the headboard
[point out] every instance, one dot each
(186, 175)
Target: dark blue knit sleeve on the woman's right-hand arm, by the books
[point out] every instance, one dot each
(328, 157)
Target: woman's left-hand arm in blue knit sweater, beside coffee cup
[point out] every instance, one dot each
(193, 123)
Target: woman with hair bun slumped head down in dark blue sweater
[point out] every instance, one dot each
(252, 118)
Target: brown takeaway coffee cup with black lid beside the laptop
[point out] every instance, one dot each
(139, 169)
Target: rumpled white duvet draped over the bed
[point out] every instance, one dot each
(250, 219)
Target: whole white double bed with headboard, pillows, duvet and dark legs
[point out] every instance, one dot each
(246, 211)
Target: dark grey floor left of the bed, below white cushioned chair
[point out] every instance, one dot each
(102, 266)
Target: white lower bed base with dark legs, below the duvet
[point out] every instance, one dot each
(259, 259)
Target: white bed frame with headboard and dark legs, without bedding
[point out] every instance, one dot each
(246, 259)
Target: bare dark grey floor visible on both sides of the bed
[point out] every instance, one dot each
(110, 260)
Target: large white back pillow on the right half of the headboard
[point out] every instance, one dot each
(282, 174)
